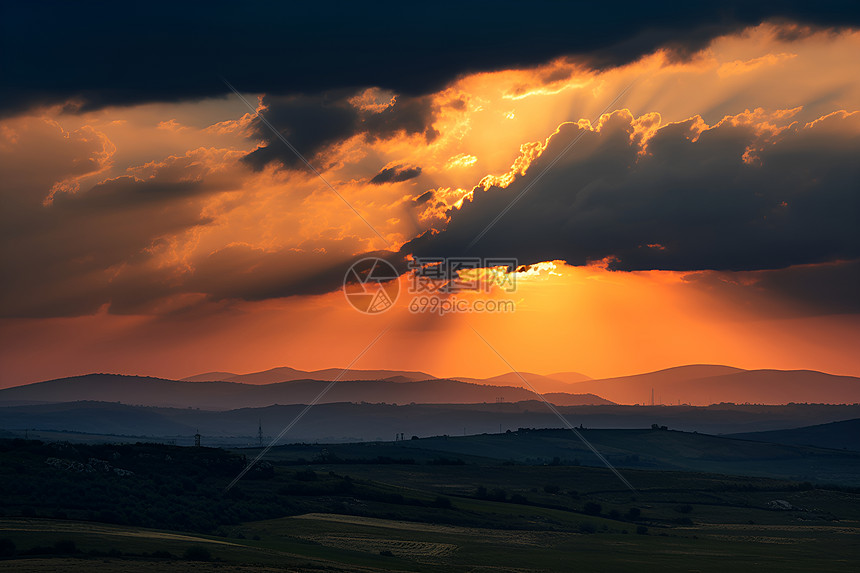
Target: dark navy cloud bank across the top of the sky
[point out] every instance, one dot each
(107, 53)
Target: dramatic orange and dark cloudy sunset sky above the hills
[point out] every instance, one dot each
(677, 186)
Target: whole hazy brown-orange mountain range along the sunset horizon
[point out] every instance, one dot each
(696, 385)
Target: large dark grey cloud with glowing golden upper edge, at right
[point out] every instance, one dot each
(690, 203)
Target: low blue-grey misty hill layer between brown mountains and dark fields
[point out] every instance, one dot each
(337, 422)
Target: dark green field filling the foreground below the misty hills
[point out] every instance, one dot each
(403, 507)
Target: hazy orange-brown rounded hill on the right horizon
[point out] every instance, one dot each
(703, 385)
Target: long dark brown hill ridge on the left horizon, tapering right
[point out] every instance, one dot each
(226, 395)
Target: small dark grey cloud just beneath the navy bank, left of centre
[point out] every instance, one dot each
(313, 123)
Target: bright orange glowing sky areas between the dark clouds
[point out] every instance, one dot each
(491, 127)
